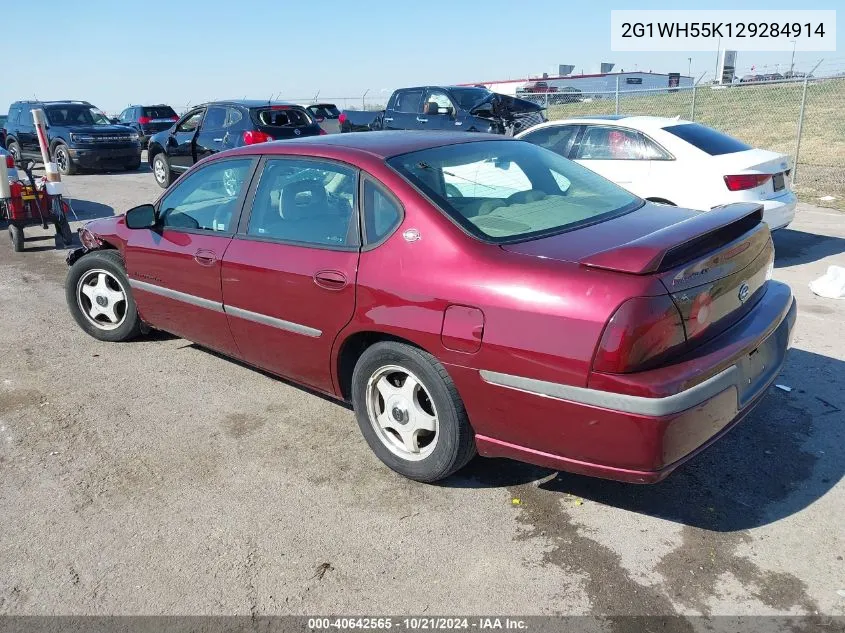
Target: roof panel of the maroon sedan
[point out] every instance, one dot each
(383, 144)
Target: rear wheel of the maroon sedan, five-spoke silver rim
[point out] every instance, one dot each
(410, 413)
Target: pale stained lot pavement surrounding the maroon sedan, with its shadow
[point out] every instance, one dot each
(157, 478)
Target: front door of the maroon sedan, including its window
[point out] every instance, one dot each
(174, 269)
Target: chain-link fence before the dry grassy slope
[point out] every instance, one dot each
(801, 118)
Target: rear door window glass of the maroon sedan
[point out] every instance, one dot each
(306, 201)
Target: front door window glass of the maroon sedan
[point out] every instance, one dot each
(206, 200)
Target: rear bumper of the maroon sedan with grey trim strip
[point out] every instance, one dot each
(634, 438)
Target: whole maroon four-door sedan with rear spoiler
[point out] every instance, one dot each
(467, 293)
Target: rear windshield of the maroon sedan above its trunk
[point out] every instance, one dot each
(506, 191)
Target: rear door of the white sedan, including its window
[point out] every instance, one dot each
(615, 153)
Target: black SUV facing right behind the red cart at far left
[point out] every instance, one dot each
(80, 136)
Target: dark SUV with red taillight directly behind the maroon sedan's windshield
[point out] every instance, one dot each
(220, 125)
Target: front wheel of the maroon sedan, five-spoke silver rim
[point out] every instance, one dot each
(100, 299)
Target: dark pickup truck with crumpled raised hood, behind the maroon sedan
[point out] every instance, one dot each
(467, 109)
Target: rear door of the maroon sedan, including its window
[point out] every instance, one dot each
(289, 275)
